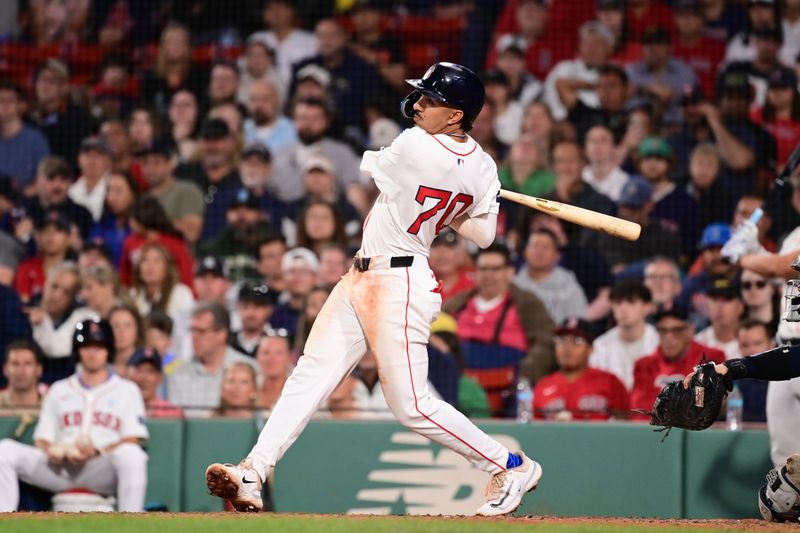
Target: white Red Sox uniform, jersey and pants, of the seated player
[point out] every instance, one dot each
(73, 412)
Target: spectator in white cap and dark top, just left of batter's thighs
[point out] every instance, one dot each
(300, 268)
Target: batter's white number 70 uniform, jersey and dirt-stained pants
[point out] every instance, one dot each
(425, 181)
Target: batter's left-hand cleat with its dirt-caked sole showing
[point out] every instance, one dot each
(239, 484)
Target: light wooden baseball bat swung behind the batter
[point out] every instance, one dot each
(616, 227)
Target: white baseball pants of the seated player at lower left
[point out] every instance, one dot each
(122, 472)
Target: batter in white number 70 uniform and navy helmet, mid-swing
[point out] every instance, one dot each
(433, 175)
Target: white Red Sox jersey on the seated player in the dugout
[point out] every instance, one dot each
(104, 414)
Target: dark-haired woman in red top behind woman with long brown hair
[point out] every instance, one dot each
(149, 223)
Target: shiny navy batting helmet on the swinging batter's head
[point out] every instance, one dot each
(454, 85)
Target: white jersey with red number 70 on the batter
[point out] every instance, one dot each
(425, 181)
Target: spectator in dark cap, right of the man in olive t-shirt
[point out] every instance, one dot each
(214, 172)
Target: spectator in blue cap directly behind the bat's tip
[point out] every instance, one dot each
(657, 237)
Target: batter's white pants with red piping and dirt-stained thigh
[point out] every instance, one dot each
(391, 309)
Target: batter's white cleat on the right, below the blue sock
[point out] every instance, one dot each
(506, 489)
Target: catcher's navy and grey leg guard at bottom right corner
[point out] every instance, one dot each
(779, 499)
